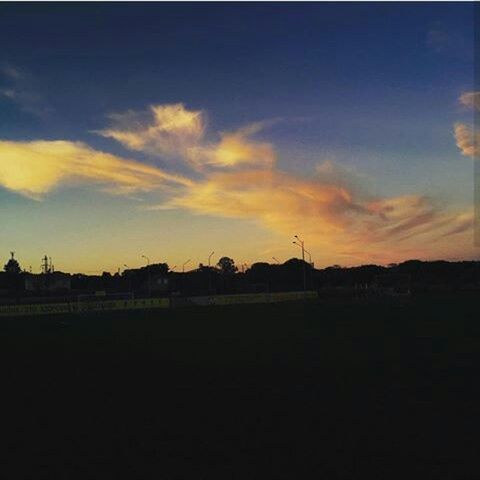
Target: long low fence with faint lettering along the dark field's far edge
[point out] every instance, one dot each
(147, 303)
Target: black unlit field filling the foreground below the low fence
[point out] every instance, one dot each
(325, 390)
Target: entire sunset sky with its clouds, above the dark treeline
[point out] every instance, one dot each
(174, 130)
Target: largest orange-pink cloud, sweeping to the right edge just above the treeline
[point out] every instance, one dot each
(336, 220)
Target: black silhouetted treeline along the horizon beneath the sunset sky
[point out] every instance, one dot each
(294, 275)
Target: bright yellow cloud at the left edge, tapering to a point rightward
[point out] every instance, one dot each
(35, 168)
